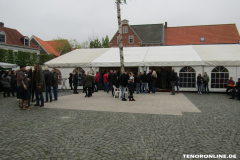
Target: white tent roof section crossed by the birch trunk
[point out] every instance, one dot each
(133, 56)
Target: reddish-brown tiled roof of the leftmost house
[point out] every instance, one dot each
(14, 37)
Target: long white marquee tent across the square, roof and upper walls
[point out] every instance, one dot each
(203, 58)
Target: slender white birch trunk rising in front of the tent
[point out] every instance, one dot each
(120, 34)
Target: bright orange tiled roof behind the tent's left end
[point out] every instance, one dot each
(48, 46)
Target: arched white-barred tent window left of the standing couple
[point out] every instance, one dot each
(187, 77)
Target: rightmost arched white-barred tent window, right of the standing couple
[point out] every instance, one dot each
(219, 77)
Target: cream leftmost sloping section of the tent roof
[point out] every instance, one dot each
(78, 57)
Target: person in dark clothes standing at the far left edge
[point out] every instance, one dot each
(6, 79)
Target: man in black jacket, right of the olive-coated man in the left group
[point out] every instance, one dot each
(48, 81)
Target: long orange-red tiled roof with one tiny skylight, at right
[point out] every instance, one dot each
(214, 34)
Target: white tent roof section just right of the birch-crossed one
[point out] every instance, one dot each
(172, 56)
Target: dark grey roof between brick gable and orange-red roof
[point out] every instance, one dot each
(149, 33)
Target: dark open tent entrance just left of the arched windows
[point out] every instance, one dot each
(162, 77)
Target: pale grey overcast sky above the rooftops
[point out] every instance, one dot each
(79, 19)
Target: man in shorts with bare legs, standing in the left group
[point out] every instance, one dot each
(22, 84)
